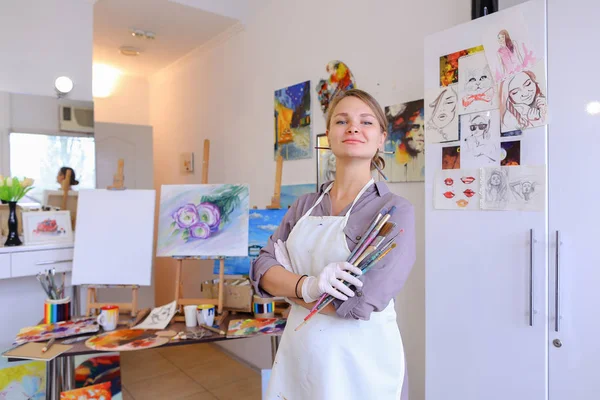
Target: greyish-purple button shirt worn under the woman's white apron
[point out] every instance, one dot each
(385, 280)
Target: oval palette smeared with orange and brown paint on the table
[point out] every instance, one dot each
(126, 340)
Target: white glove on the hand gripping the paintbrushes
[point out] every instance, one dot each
(327, 282)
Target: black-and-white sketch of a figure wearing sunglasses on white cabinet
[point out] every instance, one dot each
(480, 139)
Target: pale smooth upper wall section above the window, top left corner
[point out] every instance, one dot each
(42, 40)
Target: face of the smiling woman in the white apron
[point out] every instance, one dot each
(354, 131)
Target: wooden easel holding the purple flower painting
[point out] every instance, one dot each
(181, 301)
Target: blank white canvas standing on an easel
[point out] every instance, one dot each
(113, 241)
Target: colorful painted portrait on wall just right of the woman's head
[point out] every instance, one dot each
(406, 138)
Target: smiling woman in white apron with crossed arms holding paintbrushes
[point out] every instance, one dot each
(352, 349)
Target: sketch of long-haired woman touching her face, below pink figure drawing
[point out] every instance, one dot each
(523, 102)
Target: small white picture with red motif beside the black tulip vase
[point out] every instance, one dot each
(41, 227)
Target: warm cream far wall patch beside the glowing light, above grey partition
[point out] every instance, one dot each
(128, 104)
